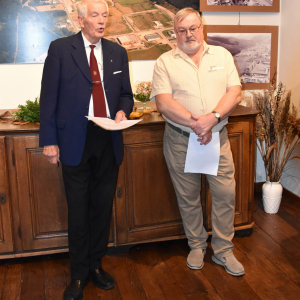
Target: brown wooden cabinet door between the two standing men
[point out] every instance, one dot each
(146, 196)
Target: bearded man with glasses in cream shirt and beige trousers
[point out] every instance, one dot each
(196, 86)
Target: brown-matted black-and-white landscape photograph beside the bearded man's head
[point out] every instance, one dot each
(254, 49)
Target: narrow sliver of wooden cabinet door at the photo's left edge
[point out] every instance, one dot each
(6, 235)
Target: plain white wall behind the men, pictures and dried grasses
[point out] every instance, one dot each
(21, 82)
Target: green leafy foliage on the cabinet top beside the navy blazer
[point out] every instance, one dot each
(29, 112)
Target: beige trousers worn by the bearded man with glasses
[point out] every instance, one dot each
(188, 185)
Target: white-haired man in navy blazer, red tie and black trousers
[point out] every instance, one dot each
(80, 72)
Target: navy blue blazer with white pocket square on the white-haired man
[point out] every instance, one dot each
(66, 92)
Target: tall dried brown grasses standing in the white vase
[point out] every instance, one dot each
(277, 129)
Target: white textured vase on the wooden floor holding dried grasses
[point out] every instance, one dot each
(272, 194)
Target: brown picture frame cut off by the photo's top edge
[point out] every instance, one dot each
(275, 7)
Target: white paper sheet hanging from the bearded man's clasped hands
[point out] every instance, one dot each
(203, 158)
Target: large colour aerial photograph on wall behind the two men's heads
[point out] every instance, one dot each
(143, 27)
